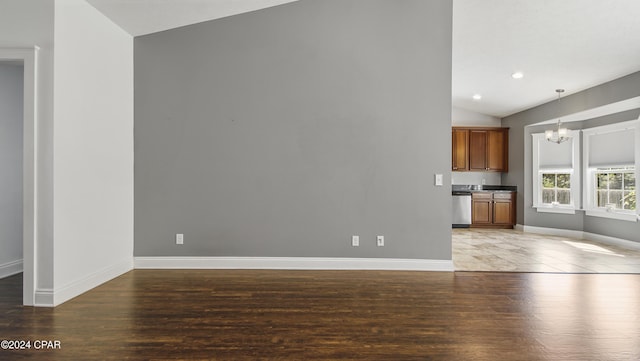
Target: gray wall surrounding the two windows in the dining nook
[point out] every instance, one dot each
(520, 158)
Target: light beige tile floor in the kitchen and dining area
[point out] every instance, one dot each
(516, 251)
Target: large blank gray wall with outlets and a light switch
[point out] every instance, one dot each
(284, 131)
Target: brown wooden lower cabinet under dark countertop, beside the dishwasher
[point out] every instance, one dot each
(493, 209)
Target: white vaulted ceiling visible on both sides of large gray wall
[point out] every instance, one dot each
(570, 44)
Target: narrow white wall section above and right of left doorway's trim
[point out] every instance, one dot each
(25, 24)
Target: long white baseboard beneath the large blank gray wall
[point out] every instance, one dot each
(292, 263)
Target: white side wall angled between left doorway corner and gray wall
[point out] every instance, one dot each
(93, 149)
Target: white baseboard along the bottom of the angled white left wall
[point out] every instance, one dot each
(52, 298)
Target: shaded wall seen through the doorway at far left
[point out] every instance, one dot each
(11, 86)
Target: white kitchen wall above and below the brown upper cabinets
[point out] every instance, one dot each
(466, 118)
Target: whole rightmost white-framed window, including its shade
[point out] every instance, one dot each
(610, 171)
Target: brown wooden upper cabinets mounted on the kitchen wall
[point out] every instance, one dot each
(480, 149)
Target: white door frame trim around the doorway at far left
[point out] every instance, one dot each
(29, 59)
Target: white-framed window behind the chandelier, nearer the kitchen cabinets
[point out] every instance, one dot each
(556, 174)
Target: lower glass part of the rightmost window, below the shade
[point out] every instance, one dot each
(616, 188)
